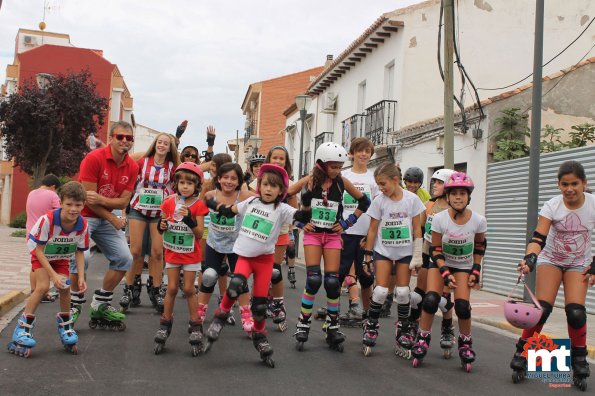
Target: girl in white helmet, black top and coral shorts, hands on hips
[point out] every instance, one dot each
(322, 238)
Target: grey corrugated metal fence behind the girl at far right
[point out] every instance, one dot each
(506, 212)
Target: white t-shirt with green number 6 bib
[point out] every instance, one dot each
(260, 226)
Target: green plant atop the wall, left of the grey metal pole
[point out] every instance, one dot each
(510, 139)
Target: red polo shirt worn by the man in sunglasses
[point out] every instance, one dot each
(100, 167)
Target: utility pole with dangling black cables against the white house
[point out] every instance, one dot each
(449, 139)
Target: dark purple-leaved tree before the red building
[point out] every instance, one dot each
(45, 125)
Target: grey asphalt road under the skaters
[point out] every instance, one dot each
(124, 363)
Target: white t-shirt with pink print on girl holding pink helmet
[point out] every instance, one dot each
(569, 239)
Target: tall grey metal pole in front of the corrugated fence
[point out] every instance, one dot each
(533, 197)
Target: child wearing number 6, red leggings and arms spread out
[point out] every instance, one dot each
(262, 219)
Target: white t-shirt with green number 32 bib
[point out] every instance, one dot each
(394, 239)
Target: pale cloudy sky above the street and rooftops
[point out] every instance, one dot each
(194, 59)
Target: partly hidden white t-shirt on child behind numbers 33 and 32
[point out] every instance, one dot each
(365, 183)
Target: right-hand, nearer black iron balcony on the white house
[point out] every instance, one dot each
(381, 122)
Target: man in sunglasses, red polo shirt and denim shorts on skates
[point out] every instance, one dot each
(108, 175)
